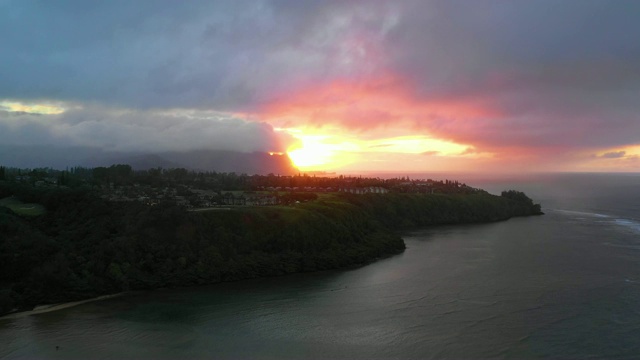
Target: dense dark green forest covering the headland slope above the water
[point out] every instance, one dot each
(82, 245)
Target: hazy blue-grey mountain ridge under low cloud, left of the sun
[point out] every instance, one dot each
(206, 160)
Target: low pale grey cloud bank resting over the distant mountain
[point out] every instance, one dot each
(140, 131)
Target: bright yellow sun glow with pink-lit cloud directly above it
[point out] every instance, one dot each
(375, 124)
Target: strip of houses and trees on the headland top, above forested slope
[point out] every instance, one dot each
(209, 189)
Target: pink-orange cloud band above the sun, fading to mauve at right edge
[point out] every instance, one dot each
(386, 104)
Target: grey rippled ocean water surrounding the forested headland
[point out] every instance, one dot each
(562, 285)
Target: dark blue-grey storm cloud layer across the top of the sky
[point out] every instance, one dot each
(203, 53)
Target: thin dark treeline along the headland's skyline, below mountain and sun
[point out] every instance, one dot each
(124, 175)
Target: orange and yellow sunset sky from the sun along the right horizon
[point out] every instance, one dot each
(380, 124)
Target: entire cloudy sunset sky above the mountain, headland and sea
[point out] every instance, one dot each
(348, 86)
